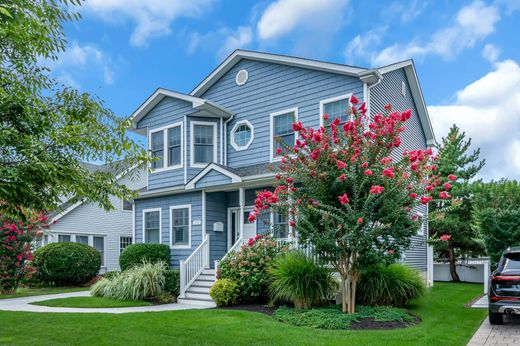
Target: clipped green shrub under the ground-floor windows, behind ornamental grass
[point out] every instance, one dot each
(135, 254)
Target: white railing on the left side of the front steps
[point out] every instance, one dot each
(191, 268)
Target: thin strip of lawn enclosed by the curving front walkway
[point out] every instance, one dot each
(90, 302)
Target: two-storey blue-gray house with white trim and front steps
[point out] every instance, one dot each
(214, 148)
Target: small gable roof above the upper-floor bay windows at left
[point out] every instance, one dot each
(202, 107)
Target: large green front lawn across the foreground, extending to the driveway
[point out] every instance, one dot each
(445, 322)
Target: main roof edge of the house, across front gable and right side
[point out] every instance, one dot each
(370, 76)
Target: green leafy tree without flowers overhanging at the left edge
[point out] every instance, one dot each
(46, 130)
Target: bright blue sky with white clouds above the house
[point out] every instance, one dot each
(467, 53)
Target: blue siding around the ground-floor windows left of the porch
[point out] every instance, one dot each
(164, 203)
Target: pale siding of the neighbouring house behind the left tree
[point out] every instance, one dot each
(90, 219)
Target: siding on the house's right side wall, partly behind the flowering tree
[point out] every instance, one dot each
(389, 91)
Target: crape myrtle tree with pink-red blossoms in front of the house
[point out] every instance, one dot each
(348, 198)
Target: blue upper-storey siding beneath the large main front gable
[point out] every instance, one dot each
(271, 88)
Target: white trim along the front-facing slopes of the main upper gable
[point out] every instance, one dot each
(238, 55)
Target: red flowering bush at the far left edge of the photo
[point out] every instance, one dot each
(16, 239)
